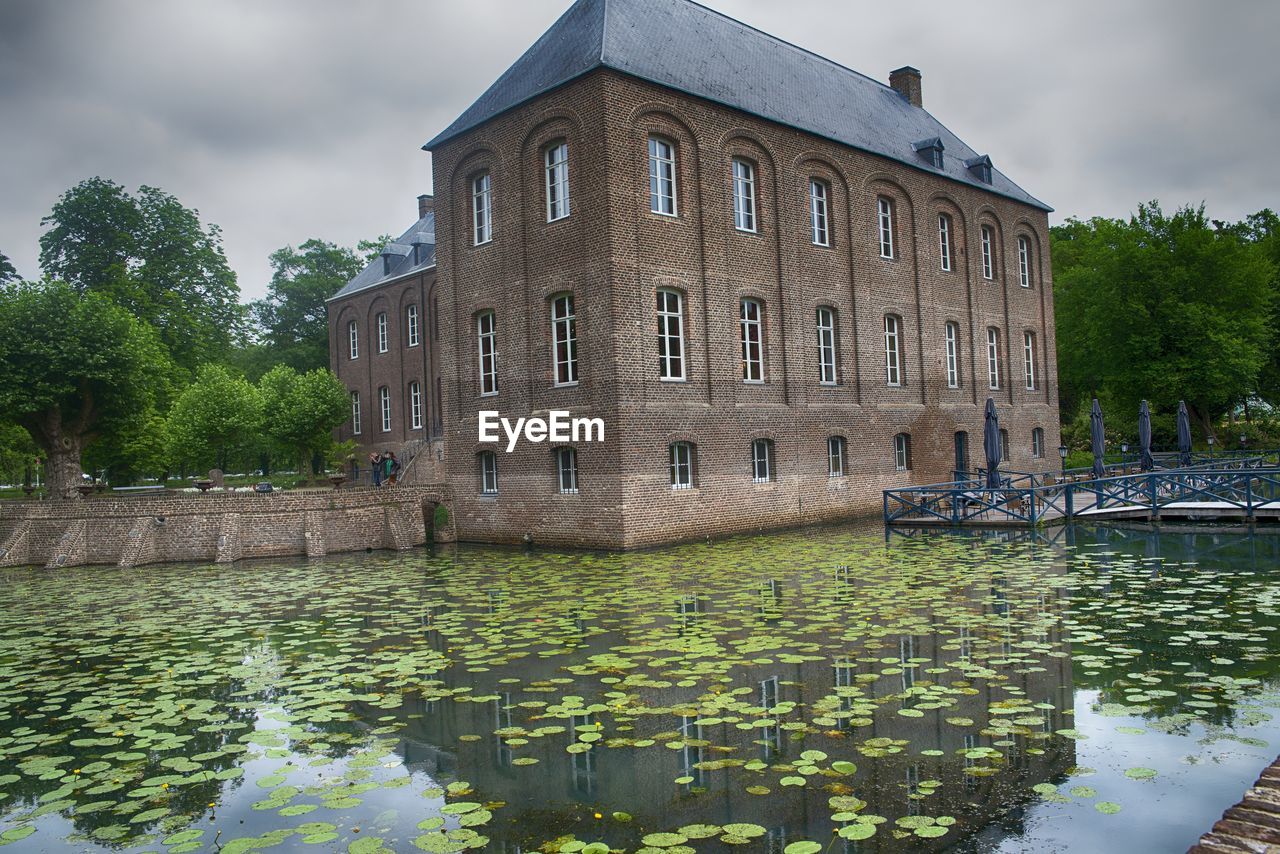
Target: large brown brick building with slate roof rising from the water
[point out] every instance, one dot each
(784, 286)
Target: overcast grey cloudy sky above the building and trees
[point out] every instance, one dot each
(292, 120)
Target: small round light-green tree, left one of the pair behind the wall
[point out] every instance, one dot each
(216, 419)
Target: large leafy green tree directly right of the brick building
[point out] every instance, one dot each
(1160, 308)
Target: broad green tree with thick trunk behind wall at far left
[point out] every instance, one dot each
(74, 369)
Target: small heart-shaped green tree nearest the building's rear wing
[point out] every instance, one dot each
(303, 410)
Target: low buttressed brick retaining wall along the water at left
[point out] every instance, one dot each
(217, 527)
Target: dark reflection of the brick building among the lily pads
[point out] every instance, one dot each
(560, 794)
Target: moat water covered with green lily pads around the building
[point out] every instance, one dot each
(820, 691)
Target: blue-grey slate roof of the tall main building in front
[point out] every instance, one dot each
(689, 48)
